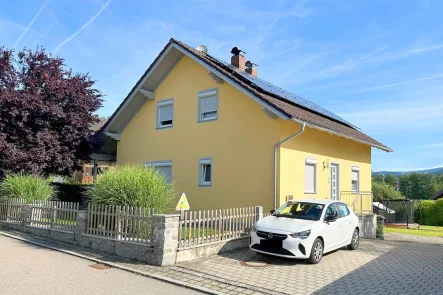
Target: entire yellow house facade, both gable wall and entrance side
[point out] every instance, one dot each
(240, 143)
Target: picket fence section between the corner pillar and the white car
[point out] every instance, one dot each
(202, 227)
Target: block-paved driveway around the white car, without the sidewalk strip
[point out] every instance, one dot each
(377, 267)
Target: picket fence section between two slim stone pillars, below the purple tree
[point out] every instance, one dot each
(54, 215)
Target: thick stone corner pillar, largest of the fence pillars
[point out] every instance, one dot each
(164, 238)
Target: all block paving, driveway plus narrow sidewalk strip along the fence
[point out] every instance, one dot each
(397, 265)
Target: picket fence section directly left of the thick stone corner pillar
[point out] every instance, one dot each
(120, 222)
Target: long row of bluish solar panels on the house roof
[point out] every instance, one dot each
(275, 90)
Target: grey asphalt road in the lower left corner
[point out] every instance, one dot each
(28, 269)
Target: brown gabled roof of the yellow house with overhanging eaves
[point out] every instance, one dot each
(278, 104)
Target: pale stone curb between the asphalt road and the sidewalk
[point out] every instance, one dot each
(114, 265)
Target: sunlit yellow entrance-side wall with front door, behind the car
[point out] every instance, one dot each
(326, 149)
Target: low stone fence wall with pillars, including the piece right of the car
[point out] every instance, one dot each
(162, 250)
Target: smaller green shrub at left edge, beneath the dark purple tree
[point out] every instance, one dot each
(29, 187)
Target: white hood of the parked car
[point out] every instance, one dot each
(284, 224)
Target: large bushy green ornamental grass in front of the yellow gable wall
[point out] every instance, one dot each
(133, 186)
